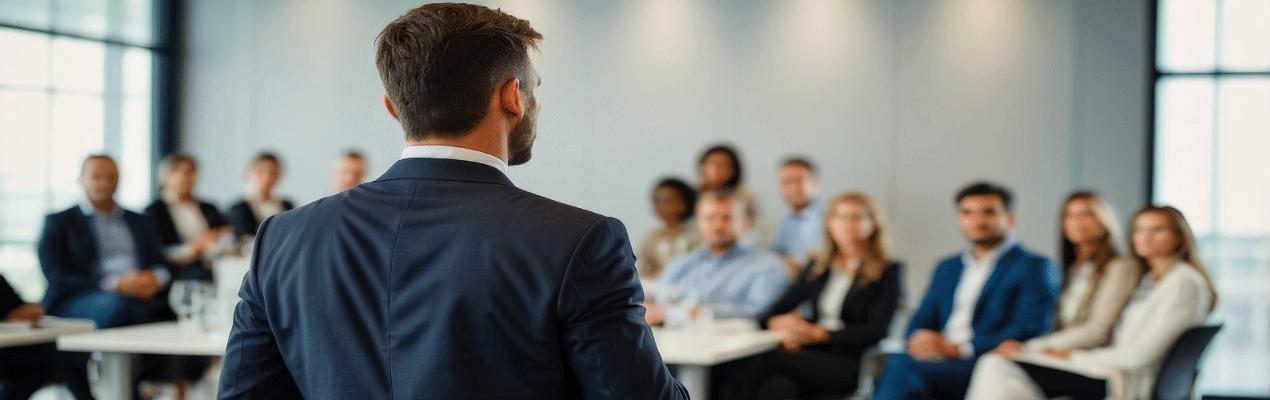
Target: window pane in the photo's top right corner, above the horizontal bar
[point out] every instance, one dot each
(1247, 35)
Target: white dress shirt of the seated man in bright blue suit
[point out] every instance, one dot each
(959, 328)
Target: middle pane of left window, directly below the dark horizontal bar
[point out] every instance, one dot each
(78, 65)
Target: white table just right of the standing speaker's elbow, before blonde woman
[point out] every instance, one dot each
(697, 352)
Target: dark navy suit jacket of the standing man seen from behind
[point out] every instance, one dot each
(443, 281)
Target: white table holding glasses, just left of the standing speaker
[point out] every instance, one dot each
(120, 345)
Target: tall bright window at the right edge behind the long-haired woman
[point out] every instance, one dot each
(1212, 161)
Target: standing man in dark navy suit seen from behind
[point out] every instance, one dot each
(443, 280)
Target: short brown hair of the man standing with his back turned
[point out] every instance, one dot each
(441, 64)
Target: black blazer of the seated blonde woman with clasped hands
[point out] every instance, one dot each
(867, 310)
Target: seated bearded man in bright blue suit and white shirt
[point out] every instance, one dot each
(994, 293)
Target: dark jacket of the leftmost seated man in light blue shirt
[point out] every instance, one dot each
(69, 256)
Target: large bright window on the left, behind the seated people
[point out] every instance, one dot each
(77, 78)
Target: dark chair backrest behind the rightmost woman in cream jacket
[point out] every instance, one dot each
(1177, 379)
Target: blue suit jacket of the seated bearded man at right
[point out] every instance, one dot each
(1015, 303)
